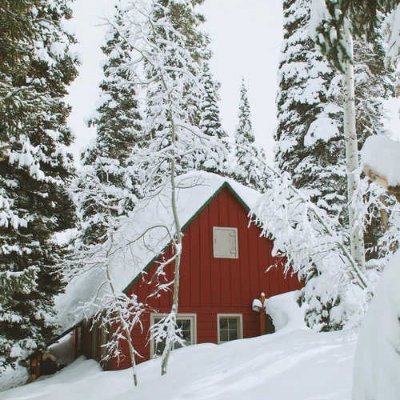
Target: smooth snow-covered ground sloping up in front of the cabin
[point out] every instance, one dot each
(294, 363)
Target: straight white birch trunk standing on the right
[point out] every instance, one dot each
(352, 159)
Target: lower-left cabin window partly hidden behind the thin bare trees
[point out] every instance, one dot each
(187, 325)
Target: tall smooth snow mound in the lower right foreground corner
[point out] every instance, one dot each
(377, 363)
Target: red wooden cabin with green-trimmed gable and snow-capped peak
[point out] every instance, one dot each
(225, 266)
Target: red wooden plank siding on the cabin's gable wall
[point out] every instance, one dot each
(211, 286)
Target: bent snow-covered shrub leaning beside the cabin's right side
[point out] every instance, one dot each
(336, 289)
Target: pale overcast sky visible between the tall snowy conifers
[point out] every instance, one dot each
(246, 39)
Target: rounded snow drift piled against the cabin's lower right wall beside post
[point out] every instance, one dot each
(285, 312)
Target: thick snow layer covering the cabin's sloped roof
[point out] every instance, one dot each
(141, 238)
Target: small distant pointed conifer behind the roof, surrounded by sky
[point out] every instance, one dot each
(250, 163)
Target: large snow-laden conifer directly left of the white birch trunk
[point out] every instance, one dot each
(309, 135)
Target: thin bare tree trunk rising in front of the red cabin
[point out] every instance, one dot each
(178, 251)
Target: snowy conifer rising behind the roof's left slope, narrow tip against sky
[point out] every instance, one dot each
(104, 190)
